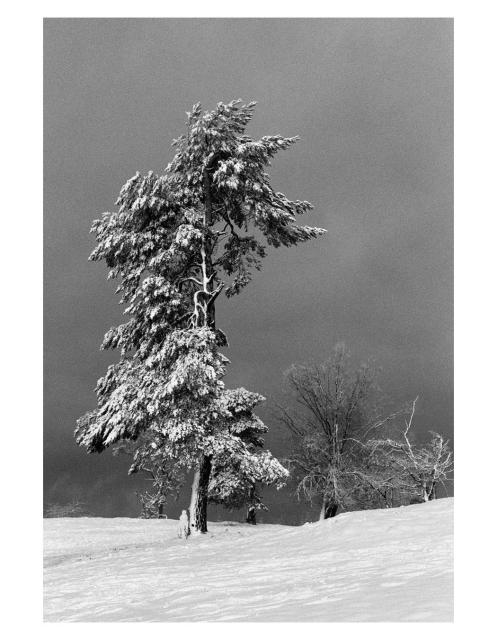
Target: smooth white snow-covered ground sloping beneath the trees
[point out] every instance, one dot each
(384, 565)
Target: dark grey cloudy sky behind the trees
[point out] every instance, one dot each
(371, 100)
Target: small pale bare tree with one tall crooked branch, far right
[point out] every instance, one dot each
(418, 469)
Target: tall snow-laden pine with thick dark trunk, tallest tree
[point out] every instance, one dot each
(176, 241)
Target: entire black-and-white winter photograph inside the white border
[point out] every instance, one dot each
(248, 327)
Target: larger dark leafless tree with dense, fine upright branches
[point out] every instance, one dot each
(336, 410)
